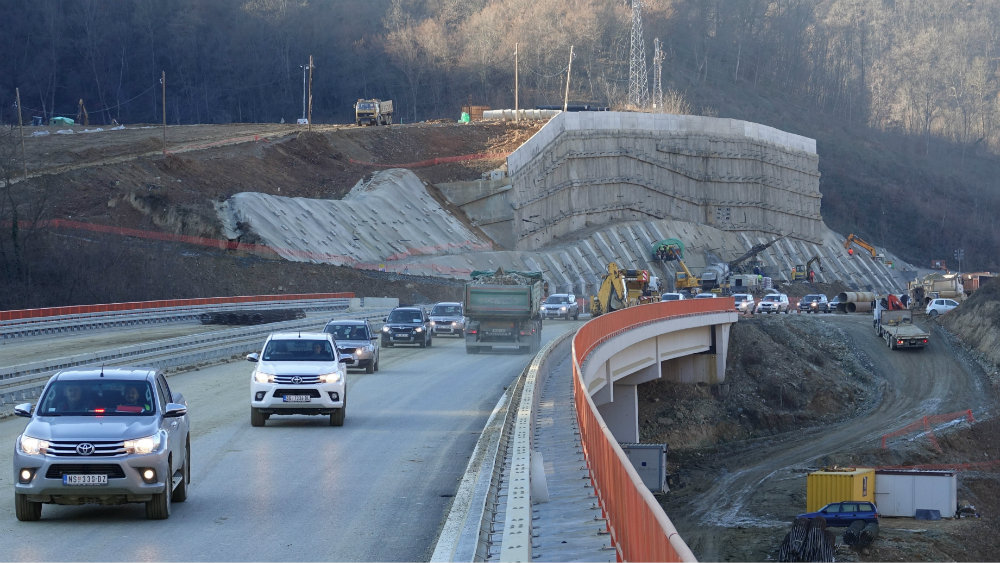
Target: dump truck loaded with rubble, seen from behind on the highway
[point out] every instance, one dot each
(503, 310)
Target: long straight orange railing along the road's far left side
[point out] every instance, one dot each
(126, 307)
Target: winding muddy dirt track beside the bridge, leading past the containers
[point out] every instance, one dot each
(740, 499)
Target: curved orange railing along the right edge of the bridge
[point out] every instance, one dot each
(639, 529)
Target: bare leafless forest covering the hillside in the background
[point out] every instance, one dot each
(903, 96)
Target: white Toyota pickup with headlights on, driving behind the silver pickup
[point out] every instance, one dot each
(298, 373)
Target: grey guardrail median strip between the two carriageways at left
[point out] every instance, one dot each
(24, 382)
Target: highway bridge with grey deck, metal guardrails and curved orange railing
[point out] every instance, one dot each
(435, 460)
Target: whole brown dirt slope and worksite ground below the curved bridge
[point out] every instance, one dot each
(808, 391)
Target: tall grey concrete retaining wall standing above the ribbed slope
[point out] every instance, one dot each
(592, 168)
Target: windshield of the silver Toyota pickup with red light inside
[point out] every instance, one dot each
(97, 398)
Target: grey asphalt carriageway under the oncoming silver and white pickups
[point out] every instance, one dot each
(376, 489)
